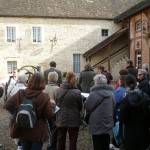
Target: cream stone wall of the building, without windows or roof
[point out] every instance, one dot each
(74, 36)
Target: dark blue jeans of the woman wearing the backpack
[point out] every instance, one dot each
(30, 145)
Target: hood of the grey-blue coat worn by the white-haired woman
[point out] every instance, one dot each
(105, 90)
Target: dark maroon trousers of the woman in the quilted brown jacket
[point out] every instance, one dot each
(61, 138)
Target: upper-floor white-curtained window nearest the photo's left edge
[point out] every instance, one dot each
(11, 34)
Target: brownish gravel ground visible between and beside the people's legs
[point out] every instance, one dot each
(84, 139)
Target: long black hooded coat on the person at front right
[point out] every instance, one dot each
(134, 117)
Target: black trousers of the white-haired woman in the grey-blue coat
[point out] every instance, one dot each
(101, 142)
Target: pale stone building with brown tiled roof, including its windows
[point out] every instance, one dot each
(34, 32)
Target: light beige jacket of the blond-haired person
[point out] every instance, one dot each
(50, 89)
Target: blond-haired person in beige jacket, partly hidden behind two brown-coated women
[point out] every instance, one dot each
(50, 89)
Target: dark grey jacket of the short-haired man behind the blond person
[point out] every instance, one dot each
(52, 69)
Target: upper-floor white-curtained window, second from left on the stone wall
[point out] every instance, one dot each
(36, 34)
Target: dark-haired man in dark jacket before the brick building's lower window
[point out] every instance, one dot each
(131, 69)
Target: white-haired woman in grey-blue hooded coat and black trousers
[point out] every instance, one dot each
(100, 104)
